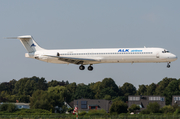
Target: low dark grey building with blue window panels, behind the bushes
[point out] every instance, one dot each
(88, 104)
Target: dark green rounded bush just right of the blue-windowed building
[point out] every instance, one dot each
(118, 107)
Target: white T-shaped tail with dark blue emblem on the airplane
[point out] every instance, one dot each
(28, 42)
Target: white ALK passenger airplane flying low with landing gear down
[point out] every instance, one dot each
(95, 56)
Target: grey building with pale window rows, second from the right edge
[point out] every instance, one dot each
(143, 101)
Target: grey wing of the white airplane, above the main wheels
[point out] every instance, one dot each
(76, 60)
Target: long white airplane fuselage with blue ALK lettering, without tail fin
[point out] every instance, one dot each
(111, 55)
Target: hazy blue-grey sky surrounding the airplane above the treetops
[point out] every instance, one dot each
(71, 24)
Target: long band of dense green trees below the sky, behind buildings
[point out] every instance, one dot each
(46, 95)
